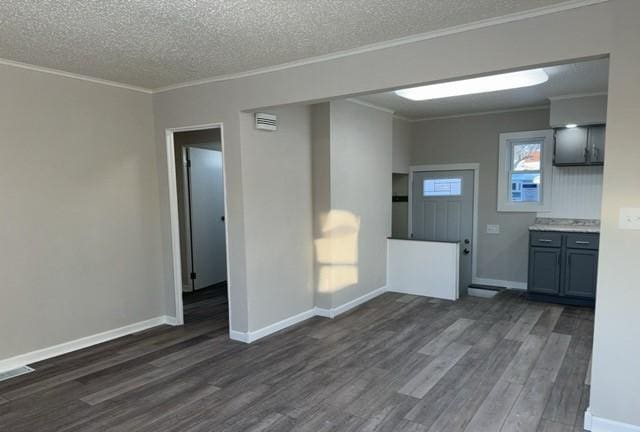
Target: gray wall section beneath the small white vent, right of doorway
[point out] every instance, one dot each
(278, 214)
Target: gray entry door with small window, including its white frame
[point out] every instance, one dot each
(443, 209)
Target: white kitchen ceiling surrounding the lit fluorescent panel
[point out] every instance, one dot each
(576, 78)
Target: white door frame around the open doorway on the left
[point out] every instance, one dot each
(174, 215)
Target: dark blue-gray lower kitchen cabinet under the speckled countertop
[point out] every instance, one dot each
(563, 266)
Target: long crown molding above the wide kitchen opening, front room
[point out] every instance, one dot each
(489, 22)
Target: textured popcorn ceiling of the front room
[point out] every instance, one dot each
(155, 43)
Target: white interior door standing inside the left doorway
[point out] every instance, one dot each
(206, 198)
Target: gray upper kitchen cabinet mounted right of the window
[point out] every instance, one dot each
(579, 146)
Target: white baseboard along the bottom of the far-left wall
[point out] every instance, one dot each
(84, 342)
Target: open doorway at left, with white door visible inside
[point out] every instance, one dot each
(198, 222)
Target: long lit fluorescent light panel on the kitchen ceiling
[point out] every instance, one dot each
(485, 84)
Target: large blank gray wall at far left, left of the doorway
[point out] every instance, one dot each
(81, 239)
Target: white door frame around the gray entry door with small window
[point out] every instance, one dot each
(475, 167)
